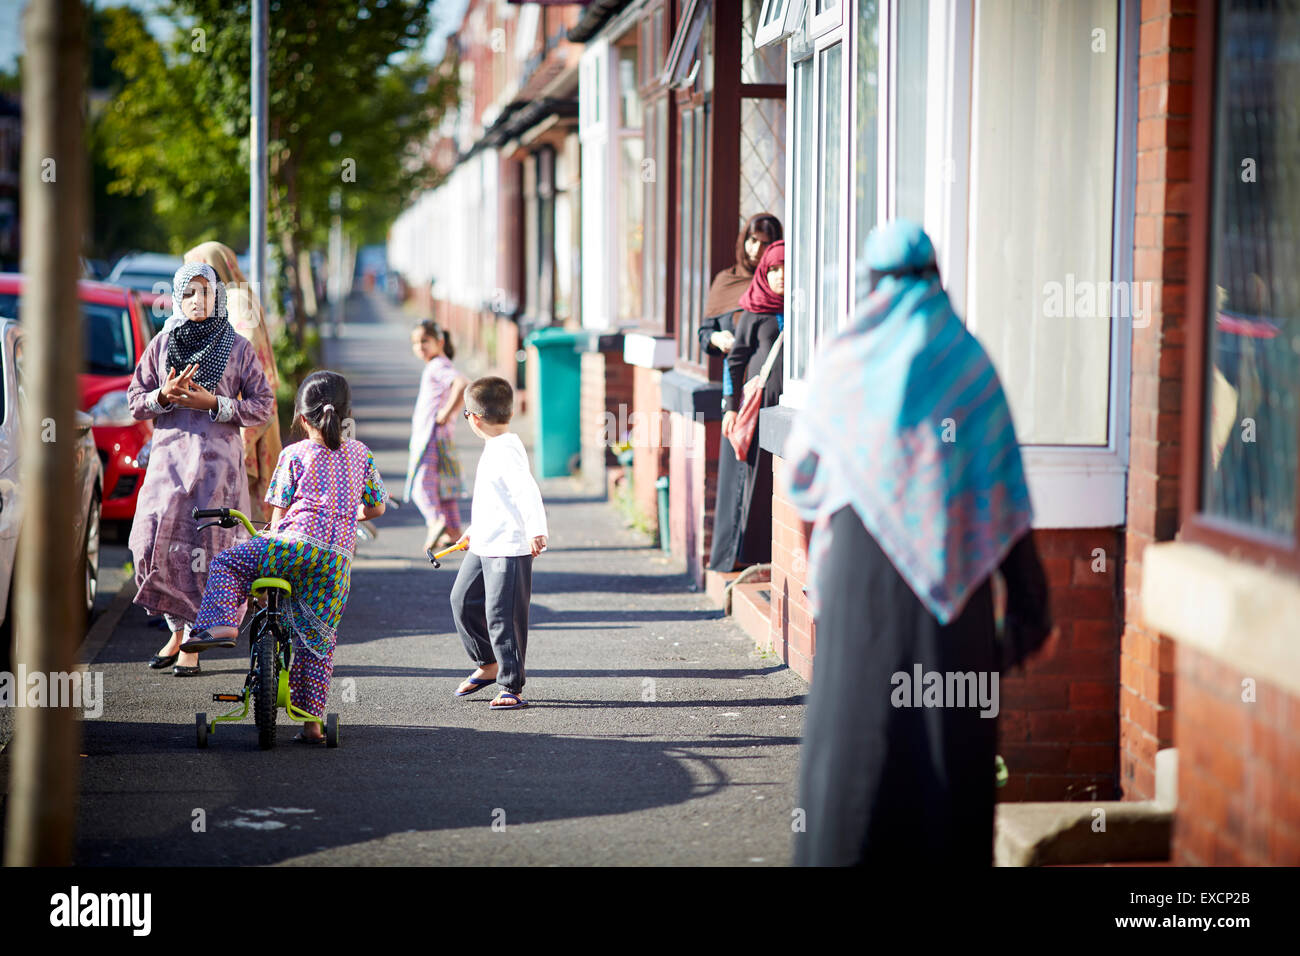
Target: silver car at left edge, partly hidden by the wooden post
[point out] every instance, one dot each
(90, 485)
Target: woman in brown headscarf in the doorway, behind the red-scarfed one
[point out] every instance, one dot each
(717, 336)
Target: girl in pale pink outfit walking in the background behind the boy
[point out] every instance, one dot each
(434, 471)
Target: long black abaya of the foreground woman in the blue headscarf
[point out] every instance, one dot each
(903, 785)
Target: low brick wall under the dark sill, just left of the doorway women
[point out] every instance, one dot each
(694, 490)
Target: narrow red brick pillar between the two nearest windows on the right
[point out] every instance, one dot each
(1160, 258)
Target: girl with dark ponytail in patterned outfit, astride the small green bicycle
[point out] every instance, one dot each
(322, 487)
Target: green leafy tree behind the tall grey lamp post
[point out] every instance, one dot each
(352, 102)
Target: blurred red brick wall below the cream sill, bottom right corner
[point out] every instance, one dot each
(1238, 769)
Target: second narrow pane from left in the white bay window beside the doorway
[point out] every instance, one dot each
(830, 263)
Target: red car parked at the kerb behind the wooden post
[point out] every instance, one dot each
(118, 328)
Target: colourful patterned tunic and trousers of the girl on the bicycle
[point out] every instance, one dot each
(313, 550)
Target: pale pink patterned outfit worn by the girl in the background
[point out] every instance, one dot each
(434, 473)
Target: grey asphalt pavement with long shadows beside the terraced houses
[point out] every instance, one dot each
(657, 736)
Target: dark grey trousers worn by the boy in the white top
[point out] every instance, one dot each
(489, 605)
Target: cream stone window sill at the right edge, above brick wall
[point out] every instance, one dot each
(1238, 613)
